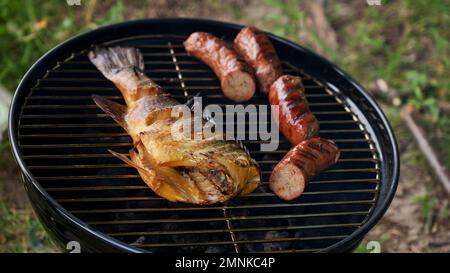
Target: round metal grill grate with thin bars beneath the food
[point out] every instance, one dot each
(63, 138)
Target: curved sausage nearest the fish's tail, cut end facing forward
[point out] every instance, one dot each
(235, 75)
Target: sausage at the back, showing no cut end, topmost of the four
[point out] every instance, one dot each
(258, 51)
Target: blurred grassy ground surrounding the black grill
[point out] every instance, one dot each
(404, 45)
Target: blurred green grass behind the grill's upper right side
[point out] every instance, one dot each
(406, 43)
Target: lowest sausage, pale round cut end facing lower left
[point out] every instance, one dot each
(300, 164)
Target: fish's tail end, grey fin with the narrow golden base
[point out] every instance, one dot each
(124, 66)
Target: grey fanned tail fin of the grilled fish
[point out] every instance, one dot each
(111, 60)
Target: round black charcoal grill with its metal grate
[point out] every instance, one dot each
(82, 193)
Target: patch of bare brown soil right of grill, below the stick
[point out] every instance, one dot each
(417, 220)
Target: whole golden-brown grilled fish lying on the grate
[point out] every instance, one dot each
(189, 169)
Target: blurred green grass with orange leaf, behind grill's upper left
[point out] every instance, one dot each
(29, 28)
